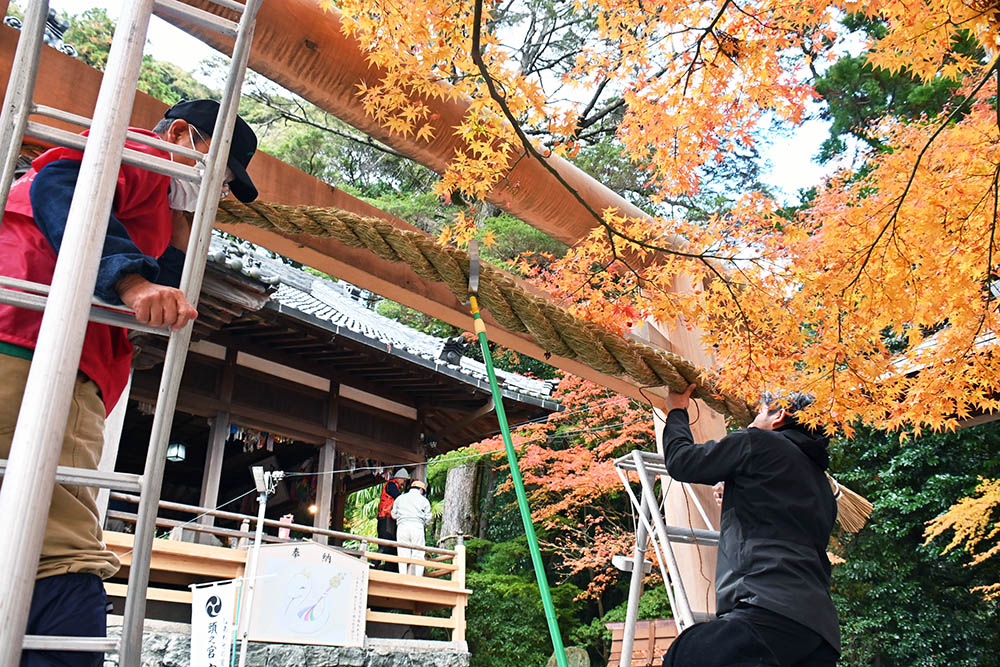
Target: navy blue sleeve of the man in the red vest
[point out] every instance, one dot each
(51, 194)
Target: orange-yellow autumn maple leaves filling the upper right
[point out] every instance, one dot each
(879, 296)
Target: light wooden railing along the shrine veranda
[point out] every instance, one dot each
(176, 563)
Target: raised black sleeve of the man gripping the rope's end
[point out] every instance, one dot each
(702, 464)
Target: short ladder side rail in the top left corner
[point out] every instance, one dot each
(20, 90)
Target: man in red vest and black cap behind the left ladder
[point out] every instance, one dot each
(140, 267)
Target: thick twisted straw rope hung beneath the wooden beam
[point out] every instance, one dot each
(553, 328)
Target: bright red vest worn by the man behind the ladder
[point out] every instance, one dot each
(140, 203)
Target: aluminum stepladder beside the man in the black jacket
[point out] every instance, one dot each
(651, 528)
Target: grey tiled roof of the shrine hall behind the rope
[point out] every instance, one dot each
(342, 308)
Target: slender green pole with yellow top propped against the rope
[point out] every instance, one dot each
(522, 499)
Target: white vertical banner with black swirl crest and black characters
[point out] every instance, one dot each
(213, 614)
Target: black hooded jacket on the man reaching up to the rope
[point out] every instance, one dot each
(777, 514)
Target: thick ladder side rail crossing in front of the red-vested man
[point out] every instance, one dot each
(41, 423)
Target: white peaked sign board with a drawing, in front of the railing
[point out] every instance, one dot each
(308, 593)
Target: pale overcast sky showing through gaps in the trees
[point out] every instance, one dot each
(792, 167)
